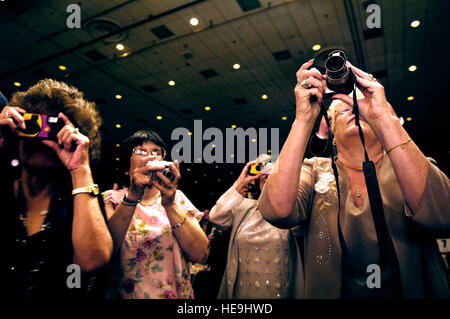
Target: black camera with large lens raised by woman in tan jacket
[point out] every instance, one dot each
(339, 76)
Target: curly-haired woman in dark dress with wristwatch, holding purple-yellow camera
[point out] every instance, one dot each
(51, 215)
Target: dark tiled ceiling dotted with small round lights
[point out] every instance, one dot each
(269, 39)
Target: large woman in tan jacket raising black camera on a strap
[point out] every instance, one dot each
(342, 250)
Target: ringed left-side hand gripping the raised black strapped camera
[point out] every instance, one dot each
(309, 92)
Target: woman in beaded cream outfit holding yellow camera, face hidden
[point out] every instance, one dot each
(263, 261)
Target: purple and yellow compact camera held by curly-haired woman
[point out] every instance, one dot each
(41, 126)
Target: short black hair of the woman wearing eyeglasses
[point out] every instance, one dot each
(138, 139)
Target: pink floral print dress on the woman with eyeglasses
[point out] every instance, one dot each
(152, 263)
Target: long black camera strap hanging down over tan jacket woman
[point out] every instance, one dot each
(373, 189)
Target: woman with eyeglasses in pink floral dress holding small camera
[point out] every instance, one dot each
(155, 227)
